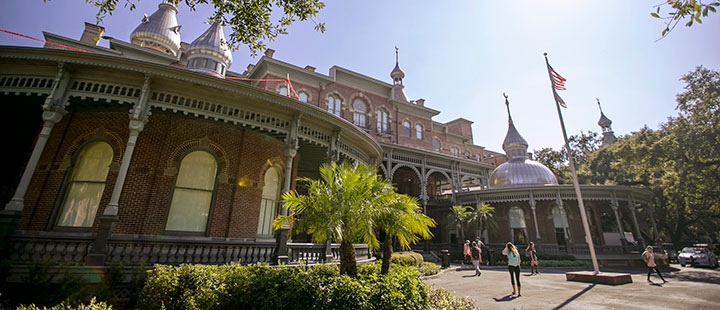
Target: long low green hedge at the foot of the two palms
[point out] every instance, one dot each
(235, 286)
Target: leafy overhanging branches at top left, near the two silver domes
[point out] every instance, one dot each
(250, 20)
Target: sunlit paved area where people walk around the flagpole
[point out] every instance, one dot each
(688, 288)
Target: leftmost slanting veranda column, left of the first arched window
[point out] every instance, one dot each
(17, 202)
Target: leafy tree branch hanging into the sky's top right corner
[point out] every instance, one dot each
(681, 9)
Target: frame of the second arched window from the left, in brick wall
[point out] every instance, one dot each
(212, 199)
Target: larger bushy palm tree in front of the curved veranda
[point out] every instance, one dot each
(341, 206)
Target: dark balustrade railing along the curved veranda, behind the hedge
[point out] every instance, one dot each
(70, 249)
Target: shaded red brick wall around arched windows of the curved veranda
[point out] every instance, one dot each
(145, 200)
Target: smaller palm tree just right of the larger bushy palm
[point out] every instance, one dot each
(400, 216)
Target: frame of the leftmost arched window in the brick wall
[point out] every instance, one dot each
(67, 181)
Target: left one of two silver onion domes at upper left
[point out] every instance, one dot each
(159, 31)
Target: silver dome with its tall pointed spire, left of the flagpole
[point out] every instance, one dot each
(519, 170)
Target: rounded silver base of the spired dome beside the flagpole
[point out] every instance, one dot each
(521, 172)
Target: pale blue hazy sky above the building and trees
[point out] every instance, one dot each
(461, 56)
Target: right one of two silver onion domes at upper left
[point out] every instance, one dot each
(209, 53)
